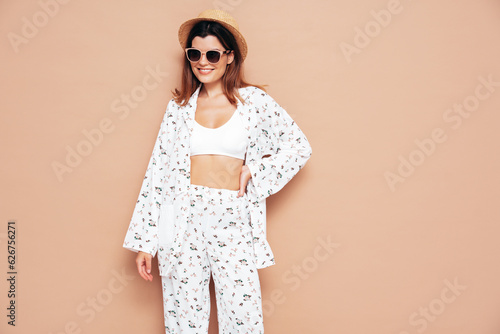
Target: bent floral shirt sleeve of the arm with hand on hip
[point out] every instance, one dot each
(288, 146)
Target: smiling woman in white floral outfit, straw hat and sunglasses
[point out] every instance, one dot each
(223, 147)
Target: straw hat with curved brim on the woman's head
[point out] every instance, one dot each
(215, 15)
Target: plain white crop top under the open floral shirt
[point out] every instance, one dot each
(230, 139)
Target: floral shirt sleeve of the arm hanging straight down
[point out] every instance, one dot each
(142, 233)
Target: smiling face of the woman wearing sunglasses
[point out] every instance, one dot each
(207, 72)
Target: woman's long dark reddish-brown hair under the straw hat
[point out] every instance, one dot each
(232, 78)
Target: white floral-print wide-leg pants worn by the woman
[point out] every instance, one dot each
(218, 242)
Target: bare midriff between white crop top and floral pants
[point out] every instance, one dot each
(216, 171)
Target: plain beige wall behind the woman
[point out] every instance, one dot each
(392, 226)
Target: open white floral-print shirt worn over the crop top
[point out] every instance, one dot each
(277, 150)
